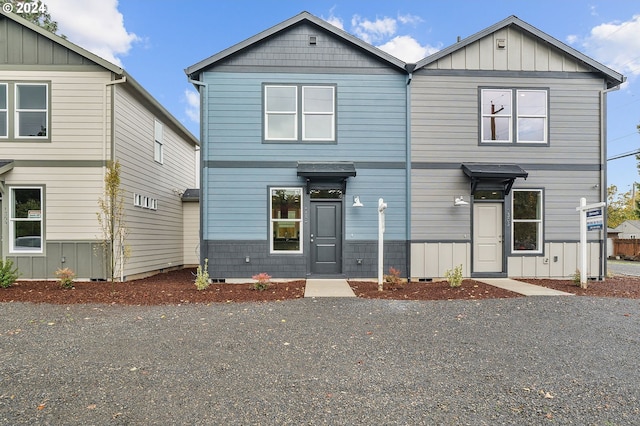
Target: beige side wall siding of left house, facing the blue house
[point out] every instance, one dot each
(155, 236)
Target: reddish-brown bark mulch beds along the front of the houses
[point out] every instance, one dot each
(178, 287)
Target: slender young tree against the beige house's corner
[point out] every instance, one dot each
(111, 218)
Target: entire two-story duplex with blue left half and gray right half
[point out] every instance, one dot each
(481, 151)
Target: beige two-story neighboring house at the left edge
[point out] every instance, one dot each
(65, 114)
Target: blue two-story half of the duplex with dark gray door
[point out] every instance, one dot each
(297, 123)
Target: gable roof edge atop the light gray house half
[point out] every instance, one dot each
(612, 77)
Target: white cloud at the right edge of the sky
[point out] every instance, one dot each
(616, 45)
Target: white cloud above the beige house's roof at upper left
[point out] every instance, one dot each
(95, 25)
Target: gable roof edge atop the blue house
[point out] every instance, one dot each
(193, 70)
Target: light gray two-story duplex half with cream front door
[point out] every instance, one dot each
(513, 121)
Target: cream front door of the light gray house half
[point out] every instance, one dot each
(487, 237)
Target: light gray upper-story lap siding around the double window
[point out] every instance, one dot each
(445, 121)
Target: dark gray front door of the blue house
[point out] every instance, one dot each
(326, 237)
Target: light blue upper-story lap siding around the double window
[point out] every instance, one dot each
(370, 114)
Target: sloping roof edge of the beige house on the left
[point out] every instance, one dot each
(118, 71)
